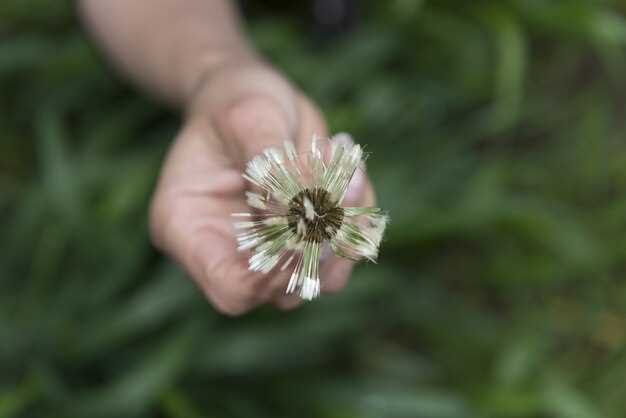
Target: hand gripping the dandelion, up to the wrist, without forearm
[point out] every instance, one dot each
(240, 109)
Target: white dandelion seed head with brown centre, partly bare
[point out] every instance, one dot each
(298, 211)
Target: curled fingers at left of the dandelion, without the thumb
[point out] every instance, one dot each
(190, 220)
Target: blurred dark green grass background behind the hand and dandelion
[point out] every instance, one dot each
(498, 146)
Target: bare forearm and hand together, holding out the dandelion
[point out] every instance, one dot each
(234, 105)
